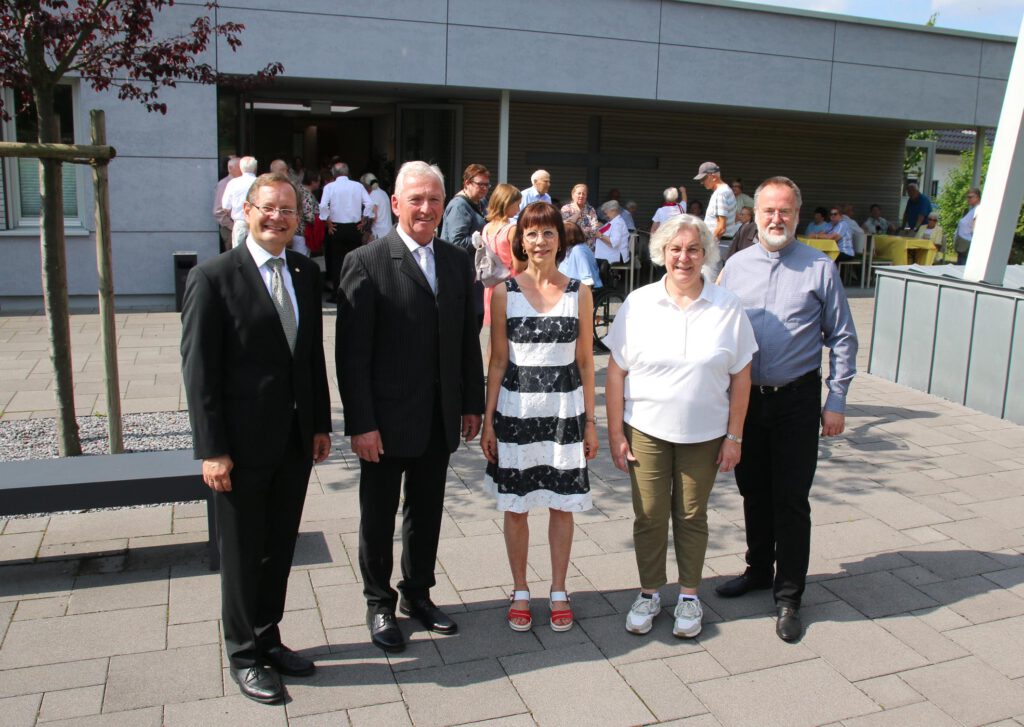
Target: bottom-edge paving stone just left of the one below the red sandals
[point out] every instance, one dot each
(474, 692)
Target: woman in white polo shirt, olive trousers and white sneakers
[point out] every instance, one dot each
(677, 388)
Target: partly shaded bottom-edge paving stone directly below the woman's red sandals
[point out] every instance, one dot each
(601, 695)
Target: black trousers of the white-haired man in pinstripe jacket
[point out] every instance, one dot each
(380, 488)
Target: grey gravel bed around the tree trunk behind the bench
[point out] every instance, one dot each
(36, 439)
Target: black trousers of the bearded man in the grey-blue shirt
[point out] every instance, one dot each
(781, 456)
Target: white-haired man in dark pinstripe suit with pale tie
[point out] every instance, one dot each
(412, 381)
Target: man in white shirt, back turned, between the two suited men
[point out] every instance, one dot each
(344, 206)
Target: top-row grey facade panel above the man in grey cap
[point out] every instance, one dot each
(709, 27)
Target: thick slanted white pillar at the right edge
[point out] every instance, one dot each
(1001, 200)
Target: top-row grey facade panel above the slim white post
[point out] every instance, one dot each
(599, 19)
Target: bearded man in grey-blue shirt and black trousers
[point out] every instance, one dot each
(796, 304)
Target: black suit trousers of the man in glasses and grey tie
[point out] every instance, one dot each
(258, 525)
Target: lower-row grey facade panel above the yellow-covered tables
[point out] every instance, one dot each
(899, 94)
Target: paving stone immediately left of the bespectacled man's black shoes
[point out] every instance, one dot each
(163, 678)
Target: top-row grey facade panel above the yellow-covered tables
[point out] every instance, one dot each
(895, 49)
